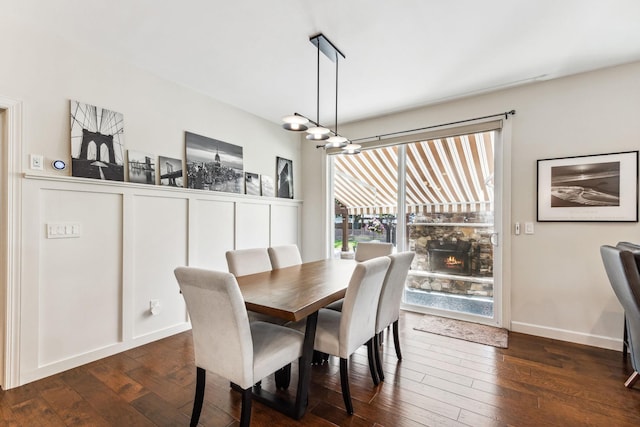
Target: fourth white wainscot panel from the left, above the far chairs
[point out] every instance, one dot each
(252, 225)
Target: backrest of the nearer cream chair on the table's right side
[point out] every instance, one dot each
(358, 320)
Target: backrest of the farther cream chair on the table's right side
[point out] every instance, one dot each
(392, 288)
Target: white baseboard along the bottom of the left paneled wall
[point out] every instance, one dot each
(79, 360)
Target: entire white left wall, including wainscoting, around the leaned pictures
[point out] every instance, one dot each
(88, 297)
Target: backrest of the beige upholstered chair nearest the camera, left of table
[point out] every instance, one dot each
(220, 325)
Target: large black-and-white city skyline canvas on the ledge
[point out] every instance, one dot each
(213, 165)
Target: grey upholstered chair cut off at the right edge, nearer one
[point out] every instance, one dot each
(624, 277)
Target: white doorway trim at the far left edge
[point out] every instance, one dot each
(11, 183)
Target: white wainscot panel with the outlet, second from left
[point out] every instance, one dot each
(160, 245)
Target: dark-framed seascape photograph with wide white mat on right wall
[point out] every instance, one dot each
(600, 187)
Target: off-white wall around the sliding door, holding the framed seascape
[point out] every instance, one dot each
(558, 285)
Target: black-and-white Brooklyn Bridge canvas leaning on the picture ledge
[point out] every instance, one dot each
(97, 142)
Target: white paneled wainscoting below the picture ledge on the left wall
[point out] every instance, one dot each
(88, 296)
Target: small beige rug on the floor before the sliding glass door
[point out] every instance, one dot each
(474, 332)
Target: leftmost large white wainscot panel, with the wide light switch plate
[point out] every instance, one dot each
(80, 278)
